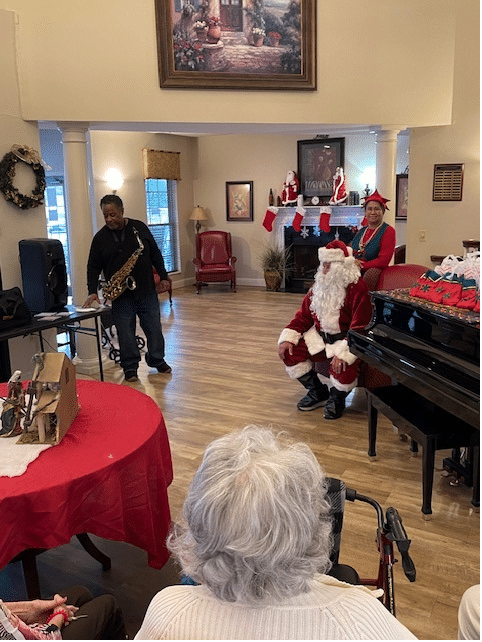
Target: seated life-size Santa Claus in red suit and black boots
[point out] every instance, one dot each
(337, 302)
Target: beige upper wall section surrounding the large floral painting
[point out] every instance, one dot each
(97, 61)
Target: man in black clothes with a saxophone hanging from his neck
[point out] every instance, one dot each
(124, 250)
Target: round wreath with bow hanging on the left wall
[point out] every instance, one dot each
(7, 174)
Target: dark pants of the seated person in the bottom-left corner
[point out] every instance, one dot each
(104, 619)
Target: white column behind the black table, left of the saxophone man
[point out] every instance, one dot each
(80, 231)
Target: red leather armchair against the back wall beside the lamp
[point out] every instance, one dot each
(214, 260)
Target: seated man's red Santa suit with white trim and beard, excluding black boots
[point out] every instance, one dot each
(319, 328)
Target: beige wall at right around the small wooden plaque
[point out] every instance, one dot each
(448, 223)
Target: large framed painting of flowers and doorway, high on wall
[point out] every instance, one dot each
(236, 44)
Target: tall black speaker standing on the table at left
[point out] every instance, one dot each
(44, 275)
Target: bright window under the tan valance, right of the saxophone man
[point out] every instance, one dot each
(161, 202)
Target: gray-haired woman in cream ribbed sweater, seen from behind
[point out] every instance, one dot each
(255, 535)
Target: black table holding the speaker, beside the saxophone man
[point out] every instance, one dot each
(71, 324)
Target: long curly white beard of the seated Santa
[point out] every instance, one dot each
(329, 293)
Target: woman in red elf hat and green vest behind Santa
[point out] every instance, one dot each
(374, 245)
